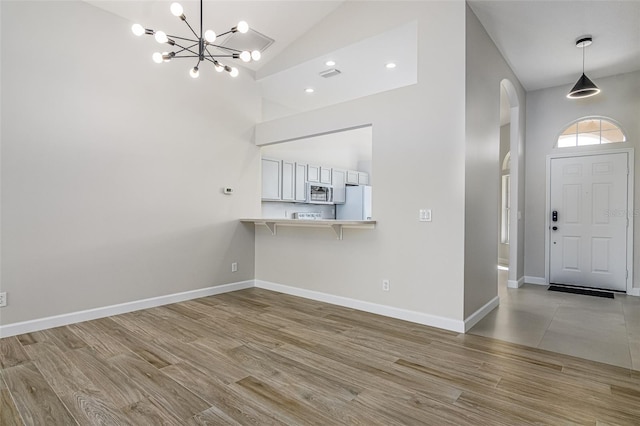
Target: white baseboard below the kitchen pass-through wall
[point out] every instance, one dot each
(389, 311)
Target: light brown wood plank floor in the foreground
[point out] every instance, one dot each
(258, 357)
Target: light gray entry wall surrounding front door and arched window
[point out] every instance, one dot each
(548, 113)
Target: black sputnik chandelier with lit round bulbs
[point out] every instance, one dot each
(198, 47)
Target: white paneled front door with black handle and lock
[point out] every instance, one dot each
(589, 219)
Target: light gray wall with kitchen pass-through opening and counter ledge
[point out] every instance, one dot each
(418, 159)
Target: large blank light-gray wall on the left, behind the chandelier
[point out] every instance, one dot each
(112, 166)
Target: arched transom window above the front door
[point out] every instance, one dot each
(591, 131)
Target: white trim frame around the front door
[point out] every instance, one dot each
(630, 198)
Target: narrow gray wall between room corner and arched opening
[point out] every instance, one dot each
(485, 69)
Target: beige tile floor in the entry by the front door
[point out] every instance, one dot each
(594, 328)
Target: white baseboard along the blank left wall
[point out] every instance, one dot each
(107, 311)
